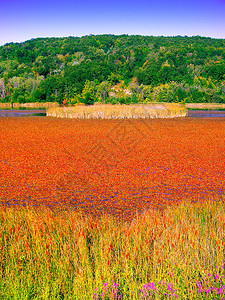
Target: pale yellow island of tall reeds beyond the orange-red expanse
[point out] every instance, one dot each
(108, 111)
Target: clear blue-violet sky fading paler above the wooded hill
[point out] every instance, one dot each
(21, 20)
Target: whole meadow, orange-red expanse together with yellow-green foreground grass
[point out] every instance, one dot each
(112, 209)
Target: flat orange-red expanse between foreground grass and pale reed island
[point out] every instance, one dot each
(114, 166)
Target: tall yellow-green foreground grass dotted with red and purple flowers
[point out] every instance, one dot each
(48, 254)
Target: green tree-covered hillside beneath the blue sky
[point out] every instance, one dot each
(110, 68)
